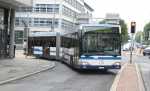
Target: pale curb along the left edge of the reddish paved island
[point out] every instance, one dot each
(115, 83)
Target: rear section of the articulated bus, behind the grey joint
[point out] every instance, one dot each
(44, 45)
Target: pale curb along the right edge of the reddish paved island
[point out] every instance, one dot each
(140, 80)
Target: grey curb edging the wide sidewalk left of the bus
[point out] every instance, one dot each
(26, 75)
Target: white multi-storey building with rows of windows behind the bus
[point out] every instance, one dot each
(49, 15)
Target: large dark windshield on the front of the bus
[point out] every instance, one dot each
(101, 43)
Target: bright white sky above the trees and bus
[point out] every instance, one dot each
(129, 10)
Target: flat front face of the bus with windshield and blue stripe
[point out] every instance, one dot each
(100, 47)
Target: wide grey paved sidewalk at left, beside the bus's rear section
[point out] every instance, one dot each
(21, 67)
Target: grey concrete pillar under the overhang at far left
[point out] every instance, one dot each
(12, 32)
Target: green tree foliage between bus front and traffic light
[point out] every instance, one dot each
(124, 32)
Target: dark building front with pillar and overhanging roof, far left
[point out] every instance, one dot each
(7, 23)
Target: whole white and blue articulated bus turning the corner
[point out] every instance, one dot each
(95, 46)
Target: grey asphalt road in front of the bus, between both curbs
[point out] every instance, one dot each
(63, 78)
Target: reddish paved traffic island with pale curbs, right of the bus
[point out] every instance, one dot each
(128, 79)
